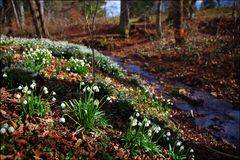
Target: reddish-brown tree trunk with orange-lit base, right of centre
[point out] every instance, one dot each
(177, 21)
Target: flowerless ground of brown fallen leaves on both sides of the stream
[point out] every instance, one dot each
(207, 61)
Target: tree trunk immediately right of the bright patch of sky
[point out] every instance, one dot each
(124, 18)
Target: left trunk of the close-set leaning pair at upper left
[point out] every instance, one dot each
(38, 19)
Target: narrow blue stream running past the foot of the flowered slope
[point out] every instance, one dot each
(216, 114)
